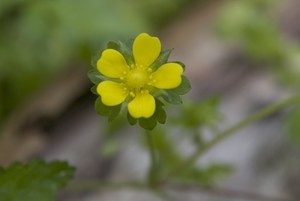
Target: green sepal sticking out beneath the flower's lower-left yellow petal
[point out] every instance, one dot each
(110, 111)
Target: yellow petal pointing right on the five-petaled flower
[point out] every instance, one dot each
(168, 76)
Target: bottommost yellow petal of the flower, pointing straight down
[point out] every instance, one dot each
(143, 105)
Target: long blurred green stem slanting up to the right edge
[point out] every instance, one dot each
(230, 131)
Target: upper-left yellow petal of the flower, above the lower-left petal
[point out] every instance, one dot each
(112, 64)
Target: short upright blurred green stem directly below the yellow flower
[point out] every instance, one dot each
(153, 169)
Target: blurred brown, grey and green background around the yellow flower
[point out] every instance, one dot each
(240, 55)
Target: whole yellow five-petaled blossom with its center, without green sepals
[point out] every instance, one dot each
(138, 80)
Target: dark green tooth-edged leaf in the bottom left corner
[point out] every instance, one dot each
(36, 180)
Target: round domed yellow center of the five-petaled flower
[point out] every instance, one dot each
(137, 78)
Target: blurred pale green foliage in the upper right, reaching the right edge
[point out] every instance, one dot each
(251, 23)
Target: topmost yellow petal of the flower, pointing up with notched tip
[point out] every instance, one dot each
(146, 49)
